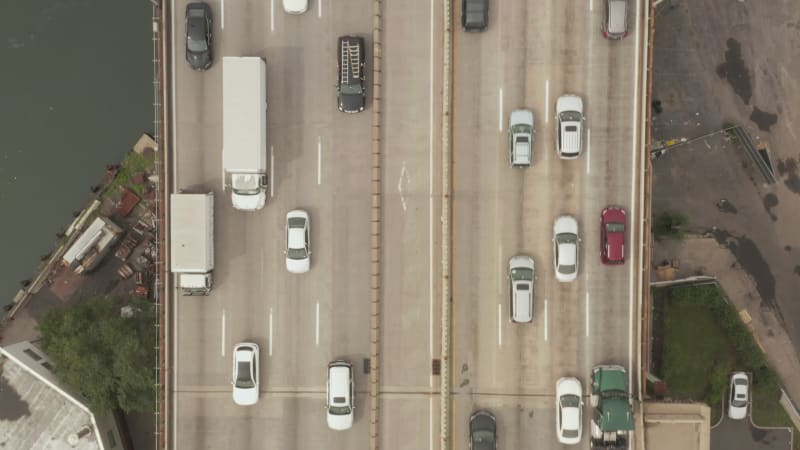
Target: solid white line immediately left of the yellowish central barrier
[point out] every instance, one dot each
(430, 195)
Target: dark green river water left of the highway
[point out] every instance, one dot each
(75, 95)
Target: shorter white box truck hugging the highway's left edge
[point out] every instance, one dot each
(192, 241)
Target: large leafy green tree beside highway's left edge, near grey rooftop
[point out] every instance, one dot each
(106, 358)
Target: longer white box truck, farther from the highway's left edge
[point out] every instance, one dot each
(244, 130)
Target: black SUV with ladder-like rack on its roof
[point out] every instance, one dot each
(351, 81)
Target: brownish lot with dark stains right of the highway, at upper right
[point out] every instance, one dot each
(732, 61)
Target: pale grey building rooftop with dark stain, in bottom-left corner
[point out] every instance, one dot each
(36, 414)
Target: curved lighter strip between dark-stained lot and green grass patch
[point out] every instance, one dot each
(705, 256)
